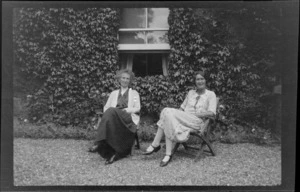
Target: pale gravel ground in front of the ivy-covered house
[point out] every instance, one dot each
(44, 162)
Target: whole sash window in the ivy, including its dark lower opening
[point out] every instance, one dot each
(143, 40)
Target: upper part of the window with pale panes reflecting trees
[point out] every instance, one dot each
(144, 29)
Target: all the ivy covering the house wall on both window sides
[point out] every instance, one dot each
(67, 52)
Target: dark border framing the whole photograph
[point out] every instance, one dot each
(290, 23)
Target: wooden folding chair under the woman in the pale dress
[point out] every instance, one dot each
(204, 138)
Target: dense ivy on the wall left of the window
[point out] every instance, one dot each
(69, 51)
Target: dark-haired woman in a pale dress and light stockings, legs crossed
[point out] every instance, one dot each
(176, 124)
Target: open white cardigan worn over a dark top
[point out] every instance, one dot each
(134, 104)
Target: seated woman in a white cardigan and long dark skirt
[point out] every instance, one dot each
(116, 131)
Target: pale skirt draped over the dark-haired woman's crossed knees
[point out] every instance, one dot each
(178, 124)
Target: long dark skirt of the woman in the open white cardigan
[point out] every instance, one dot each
(116, 133)
